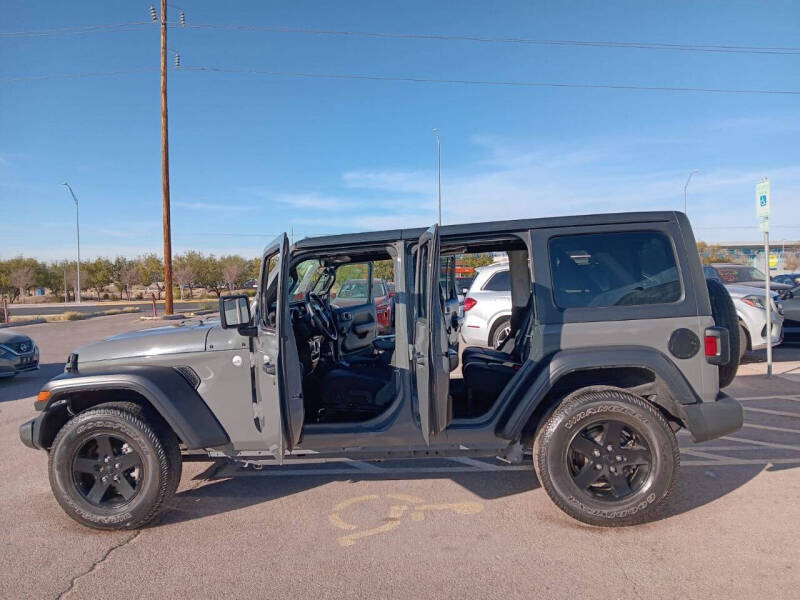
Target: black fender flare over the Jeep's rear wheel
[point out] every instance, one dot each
(676, 390)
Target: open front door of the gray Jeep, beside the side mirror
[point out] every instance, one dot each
(277, 378)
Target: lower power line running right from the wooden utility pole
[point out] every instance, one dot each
(483, 82)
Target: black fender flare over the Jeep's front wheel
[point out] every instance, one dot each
(164, 388)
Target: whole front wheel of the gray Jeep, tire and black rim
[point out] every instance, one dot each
(111, 468)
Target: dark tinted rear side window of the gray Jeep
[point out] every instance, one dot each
(614, 269)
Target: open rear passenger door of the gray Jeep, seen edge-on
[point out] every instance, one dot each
(431, 360)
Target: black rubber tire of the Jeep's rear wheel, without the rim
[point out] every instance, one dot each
(586, 409)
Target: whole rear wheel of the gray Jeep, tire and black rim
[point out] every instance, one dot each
(607, 457)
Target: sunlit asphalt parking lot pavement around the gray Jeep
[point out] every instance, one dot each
(412, 529)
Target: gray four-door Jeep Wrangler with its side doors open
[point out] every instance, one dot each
(617, 342)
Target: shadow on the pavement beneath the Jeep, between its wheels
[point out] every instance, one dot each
(218, 496)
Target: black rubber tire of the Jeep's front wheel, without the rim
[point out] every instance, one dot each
(156, 446)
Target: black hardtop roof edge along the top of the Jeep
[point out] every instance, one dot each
(491, 227)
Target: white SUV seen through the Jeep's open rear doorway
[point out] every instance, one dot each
(487, 307)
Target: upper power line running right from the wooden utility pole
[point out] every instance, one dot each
(507, 40)
